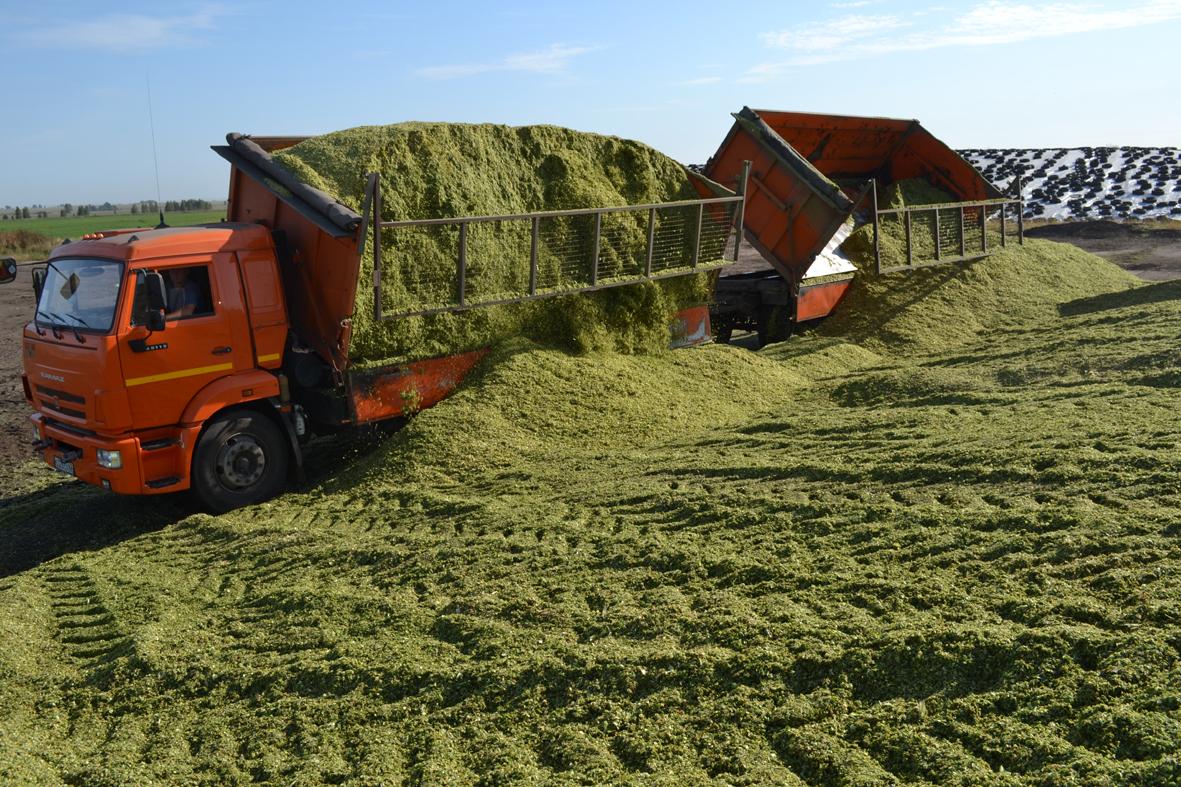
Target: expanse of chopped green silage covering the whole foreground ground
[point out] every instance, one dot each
(852, 558)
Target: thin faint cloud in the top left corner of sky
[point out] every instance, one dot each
(125, 32)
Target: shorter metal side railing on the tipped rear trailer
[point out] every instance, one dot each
(945, 233)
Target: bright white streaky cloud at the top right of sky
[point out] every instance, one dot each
(988, 24)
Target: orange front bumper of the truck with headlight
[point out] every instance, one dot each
(155, 463)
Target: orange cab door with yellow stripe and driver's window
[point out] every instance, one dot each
(165, 372)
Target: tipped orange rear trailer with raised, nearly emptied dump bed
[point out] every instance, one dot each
(813, 178)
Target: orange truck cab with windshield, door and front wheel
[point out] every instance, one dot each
(153, 348)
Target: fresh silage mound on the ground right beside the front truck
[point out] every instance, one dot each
(527, 409)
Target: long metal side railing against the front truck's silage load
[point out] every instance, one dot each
(516, 258)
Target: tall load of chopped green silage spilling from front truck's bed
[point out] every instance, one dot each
(432, 171)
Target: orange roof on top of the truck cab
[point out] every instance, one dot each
(169, 242)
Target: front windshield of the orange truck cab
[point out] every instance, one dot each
(81, 294)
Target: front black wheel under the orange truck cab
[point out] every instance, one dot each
(242, 459)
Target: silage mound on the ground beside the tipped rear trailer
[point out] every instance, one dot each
(936, 308)
